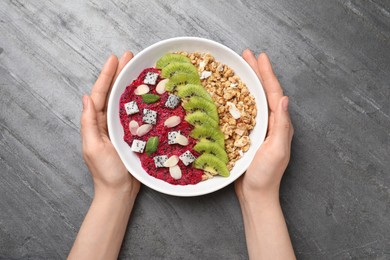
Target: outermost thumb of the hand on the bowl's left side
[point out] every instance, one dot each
(89, 126)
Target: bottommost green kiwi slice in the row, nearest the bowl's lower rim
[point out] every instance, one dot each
(211, 163)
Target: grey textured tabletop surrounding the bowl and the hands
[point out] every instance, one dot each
(332, 58)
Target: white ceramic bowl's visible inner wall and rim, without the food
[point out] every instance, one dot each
(147, 58)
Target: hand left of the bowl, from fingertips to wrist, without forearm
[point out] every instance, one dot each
(108, 172)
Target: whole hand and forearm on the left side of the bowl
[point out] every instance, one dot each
(104, 226)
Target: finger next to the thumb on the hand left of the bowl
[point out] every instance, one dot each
(103, 83)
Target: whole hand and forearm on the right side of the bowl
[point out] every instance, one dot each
(258, 189)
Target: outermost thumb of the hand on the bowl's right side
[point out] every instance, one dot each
(282, 129)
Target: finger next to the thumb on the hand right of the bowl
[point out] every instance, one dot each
(270, 83)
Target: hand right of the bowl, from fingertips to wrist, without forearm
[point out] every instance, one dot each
(263, 176)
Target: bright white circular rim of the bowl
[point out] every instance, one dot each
(111, 102)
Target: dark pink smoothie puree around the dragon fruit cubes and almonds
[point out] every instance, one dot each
(190, 175)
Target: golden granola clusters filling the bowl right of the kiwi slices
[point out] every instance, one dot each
(236, 106)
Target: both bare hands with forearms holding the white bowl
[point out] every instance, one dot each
(115, 190)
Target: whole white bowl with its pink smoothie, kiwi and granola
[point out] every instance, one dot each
(187, 116)
